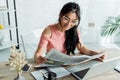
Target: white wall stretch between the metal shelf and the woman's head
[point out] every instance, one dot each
(33, 14)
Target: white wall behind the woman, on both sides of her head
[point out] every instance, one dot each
(34, 14)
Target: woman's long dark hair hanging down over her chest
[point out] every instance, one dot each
(71, 34)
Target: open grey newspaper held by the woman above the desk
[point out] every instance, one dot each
(57, 58)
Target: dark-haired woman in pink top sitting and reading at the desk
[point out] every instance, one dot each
(63, 35)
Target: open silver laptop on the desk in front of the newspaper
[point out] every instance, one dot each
(93, 68)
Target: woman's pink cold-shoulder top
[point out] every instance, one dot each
(56, 40)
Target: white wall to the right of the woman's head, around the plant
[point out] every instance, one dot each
(96, 11)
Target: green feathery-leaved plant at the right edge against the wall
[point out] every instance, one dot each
(112, 25)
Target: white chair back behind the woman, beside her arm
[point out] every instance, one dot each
(30, 42)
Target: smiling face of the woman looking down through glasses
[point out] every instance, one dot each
(69, 20)
